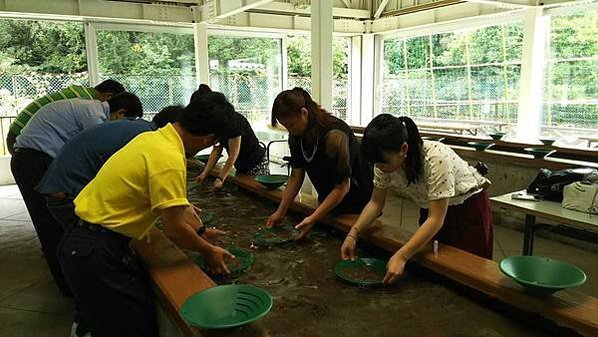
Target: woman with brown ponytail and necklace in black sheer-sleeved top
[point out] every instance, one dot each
(326, 148)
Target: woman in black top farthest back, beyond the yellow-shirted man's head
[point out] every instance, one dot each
(244, 150)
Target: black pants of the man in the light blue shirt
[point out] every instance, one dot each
(28, 167)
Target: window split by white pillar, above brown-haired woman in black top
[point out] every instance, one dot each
(299, 70)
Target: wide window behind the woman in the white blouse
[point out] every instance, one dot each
(468, 75)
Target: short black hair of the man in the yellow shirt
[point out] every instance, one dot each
(207, 114)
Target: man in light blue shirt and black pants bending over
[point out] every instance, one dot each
(38, 144)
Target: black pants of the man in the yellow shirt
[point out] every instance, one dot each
(113, 289)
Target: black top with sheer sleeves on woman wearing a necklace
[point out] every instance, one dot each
(335, 159)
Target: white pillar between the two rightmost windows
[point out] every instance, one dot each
(536, 27)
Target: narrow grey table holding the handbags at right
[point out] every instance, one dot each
(544, 209)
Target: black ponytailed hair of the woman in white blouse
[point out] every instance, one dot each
(389, 133)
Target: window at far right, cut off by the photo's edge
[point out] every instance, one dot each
(570, 108)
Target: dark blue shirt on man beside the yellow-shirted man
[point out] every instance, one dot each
(82, 157)
